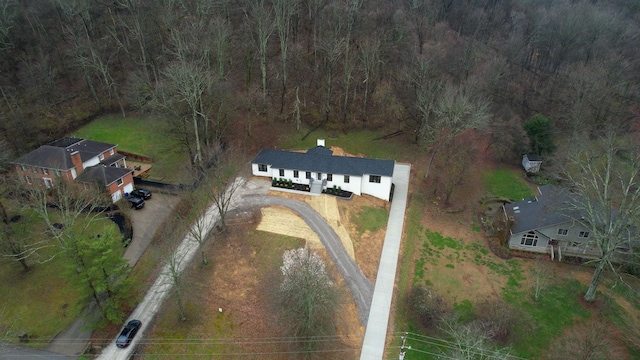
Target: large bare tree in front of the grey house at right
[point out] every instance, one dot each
(605, 184)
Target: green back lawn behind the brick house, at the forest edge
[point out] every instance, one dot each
(146, 136)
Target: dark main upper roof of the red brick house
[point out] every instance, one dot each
(57, 154)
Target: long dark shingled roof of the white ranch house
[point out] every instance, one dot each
(320, 159)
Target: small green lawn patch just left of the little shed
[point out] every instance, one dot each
(508, 184)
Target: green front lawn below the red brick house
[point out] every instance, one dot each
(40, 302)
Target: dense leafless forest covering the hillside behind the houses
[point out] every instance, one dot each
(215, 68)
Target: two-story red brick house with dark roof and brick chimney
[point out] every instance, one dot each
(80, 160)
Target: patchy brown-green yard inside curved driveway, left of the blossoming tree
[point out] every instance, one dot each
(208, 332)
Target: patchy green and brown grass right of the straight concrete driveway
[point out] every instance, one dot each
(454, 268)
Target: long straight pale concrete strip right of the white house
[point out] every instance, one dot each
(376, 333)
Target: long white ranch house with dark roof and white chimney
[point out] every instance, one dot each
(320, 169)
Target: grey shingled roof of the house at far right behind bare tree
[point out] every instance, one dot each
(551, 207)
